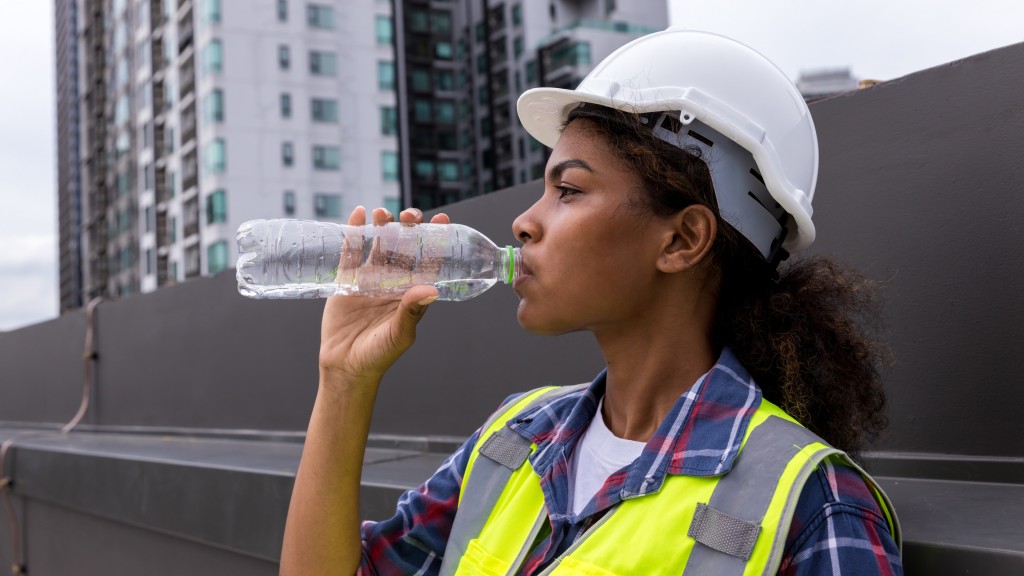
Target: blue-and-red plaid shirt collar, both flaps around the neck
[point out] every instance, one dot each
(701, 436)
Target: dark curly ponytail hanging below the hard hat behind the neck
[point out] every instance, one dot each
(807, 341)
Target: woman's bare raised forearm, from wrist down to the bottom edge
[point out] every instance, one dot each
(322, 536)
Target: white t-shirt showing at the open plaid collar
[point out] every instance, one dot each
(599, 456)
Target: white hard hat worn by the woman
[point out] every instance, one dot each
(752, 125)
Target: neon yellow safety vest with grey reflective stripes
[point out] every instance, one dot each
(734, 524)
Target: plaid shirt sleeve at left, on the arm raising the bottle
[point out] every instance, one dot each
(413, 541)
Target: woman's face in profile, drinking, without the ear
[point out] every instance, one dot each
(589, 252)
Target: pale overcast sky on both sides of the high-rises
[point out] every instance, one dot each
(878, 39)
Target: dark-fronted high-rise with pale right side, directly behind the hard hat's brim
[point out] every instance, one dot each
(466, 63)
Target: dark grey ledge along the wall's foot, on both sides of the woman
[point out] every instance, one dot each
(231, 489)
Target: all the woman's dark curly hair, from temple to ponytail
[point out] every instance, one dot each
(805, 332)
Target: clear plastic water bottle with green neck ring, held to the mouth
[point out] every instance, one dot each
(286, 259)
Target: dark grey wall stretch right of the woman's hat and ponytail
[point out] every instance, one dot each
(921, 185)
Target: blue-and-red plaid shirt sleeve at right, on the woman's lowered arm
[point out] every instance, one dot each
(839, 528)
